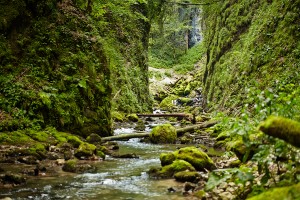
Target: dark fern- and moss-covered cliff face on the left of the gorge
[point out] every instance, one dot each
(62, 61)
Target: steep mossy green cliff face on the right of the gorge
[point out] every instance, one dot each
(253, 49)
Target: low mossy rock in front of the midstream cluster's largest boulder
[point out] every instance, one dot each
(176, 166)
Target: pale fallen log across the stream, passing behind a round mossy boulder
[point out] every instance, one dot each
(179, 131)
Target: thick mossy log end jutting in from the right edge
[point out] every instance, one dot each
(282, 128)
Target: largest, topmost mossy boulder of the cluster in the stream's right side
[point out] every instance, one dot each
(195, 157)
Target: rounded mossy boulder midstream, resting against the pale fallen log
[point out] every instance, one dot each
(164, 134)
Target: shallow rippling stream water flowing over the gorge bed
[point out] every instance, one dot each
(114, 178)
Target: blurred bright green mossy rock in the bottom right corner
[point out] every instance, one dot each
(283, 193)
